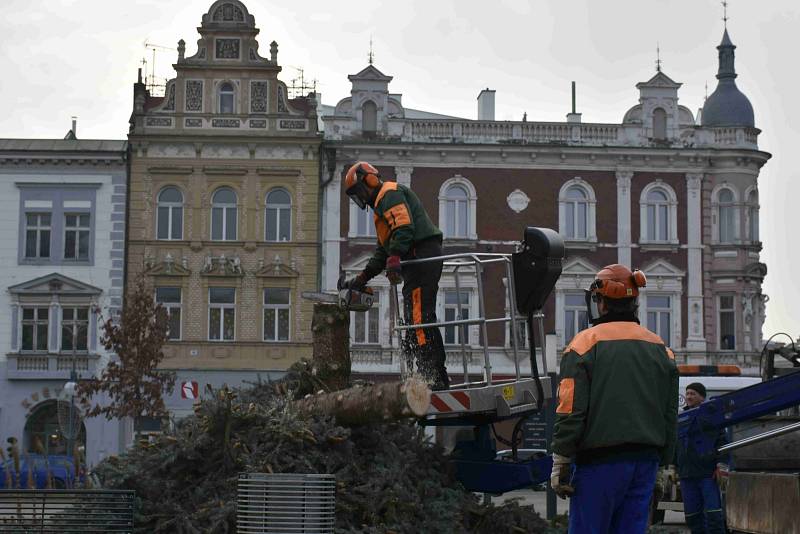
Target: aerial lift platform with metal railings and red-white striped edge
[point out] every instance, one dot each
(531, 273)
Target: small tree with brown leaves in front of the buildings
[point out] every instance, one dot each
(133, 383)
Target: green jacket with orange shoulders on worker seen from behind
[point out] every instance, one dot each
(618, 395)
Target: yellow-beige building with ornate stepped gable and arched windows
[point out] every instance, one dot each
(224, 207)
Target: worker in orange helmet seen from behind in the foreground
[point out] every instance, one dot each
(617, 412)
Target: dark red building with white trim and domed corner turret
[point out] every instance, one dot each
(665, 191)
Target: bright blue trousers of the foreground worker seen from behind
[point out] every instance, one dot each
(612, 497)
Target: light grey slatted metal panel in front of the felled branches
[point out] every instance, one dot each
(286, 503)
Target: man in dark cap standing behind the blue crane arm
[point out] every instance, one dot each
(701, 476)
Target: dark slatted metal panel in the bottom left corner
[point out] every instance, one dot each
(66, 511)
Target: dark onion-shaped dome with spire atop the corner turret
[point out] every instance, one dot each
(727, 105)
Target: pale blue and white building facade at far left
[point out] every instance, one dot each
(61, 272)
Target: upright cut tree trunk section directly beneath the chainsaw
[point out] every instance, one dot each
(330, 327)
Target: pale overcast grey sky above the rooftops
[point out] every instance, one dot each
(79, 57)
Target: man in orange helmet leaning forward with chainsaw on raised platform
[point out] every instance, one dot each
(405, 232)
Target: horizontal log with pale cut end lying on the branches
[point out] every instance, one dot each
(362, 405)
